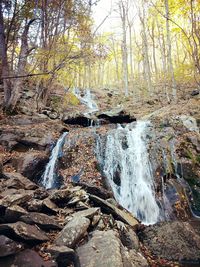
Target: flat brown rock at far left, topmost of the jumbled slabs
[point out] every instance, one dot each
(18, 181)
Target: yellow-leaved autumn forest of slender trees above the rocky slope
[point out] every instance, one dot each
(50, 45)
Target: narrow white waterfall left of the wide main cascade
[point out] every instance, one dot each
(50, 175)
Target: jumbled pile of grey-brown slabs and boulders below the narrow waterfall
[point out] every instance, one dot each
(63, 227)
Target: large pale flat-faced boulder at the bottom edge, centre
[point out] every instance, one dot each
(102, 250)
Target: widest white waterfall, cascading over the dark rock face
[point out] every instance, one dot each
(127, 167)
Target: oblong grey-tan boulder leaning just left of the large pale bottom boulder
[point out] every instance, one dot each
(73, 232)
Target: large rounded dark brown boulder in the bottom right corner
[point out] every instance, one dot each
(172, 241)
